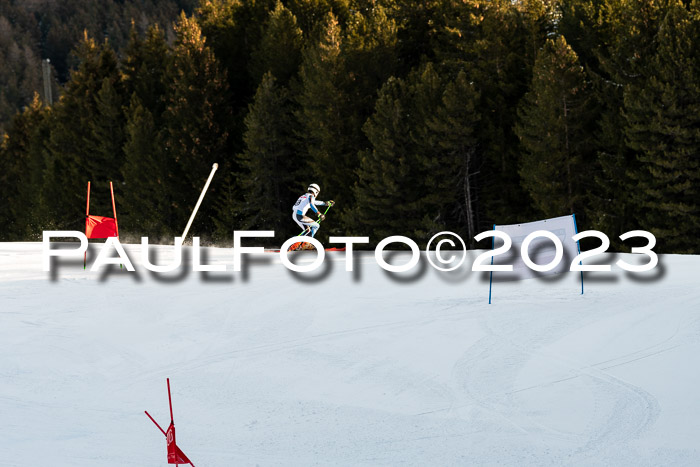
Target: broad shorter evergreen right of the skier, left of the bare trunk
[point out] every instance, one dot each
(404, 183)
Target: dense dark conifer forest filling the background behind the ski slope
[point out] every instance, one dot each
(415, 117)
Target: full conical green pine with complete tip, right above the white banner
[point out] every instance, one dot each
(553, 131)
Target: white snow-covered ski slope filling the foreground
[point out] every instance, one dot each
(269, 367)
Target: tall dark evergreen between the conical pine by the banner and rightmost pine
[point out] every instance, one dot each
(627, 30)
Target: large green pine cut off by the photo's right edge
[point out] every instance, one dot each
(663, 130)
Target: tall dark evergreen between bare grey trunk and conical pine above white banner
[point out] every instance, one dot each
(508, 38)
